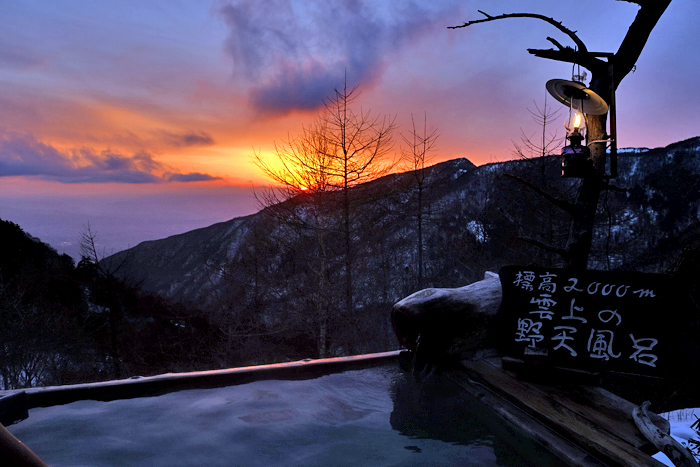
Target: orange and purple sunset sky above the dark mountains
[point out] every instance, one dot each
(141, 116)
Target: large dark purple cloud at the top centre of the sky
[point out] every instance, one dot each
(295, 53)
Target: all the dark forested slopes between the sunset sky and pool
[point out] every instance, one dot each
(269, 287)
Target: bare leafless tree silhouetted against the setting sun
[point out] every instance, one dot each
(339, 150)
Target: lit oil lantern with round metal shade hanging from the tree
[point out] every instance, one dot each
(576, 157)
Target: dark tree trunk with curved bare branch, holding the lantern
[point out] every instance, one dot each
(583, 210)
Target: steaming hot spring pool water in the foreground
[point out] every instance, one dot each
(370, 417)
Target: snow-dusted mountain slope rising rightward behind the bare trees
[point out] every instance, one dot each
(276, 277)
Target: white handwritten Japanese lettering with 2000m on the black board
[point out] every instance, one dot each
(576, 316)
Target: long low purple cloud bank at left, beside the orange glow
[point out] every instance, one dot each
(22, 155)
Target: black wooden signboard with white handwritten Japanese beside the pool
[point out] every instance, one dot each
(592, 320)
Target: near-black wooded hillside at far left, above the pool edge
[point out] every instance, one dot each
(64, 324)
